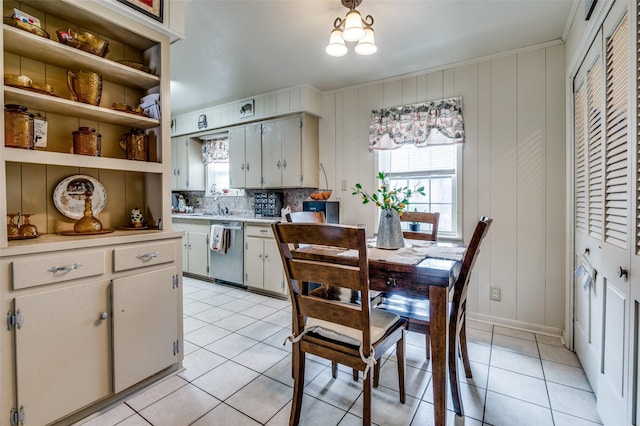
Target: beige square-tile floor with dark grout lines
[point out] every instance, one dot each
(237, 372)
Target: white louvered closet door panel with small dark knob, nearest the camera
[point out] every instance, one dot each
(613, 382)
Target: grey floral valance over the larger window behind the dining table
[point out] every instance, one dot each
(426, 124)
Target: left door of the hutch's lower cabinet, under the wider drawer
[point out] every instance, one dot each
(63, 350)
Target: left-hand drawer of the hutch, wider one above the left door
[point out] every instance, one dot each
(50, 269)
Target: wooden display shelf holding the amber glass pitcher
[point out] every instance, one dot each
(37, 101)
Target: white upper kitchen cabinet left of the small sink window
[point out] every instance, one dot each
(187, 168)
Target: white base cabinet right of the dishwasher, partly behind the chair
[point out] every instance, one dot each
(262, 264)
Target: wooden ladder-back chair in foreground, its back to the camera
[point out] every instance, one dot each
(347, 333)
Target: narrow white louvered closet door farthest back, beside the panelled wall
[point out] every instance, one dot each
(588, 99)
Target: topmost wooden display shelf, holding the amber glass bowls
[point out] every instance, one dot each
(49, 51)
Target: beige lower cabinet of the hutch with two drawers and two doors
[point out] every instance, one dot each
(91, 332)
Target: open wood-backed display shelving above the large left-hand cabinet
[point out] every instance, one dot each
(134, 68)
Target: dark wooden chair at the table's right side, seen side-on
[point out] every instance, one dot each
(457, 314)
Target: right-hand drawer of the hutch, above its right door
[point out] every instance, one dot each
(143, 255)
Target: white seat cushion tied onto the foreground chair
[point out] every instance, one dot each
(381, 321)
